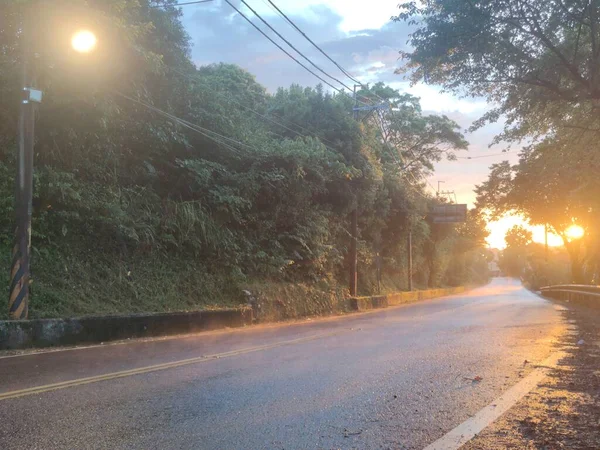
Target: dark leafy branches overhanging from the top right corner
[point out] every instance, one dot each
(538, 61)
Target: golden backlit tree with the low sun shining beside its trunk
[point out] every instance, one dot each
(549, 188)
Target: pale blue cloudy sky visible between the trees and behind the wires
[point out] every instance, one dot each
(361, 37)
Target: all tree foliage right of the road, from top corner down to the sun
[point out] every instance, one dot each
(538, 63)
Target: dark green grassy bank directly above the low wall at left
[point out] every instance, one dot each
(88, 282)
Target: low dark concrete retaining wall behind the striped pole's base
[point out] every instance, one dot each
(18, 334)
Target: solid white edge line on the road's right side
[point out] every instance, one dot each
(467, 430)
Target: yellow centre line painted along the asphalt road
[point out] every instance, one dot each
(157, 367)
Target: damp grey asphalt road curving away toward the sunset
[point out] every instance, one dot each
(396, 378)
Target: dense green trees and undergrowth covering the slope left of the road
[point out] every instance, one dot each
(138, 211)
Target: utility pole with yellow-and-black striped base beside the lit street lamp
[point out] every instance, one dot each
(20, 274)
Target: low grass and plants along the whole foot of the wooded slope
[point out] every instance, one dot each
(79, 280)
